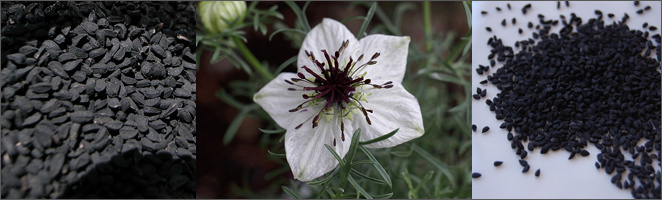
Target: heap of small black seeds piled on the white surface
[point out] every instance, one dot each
(592, 83)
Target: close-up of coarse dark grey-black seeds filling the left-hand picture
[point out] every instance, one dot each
(98, 100)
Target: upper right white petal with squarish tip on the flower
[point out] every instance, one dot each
(392, 62)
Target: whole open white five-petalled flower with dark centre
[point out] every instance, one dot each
(338, 90)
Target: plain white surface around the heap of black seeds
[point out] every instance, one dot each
(559, 177)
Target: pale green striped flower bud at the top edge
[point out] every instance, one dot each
(216, 16)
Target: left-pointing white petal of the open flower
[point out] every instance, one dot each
(277, 101)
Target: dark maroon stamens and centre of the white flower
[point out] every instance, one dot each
(335, 85)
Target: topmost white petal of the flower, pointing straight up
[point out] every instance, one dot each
(328, 35)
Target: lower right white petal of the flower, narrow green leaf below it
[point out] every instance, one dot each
(392, 108)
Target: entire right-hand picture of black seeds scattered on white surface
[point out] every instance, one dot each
(578, 97)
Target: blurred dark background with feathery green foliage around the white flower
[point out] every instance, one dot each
(234, 159)
